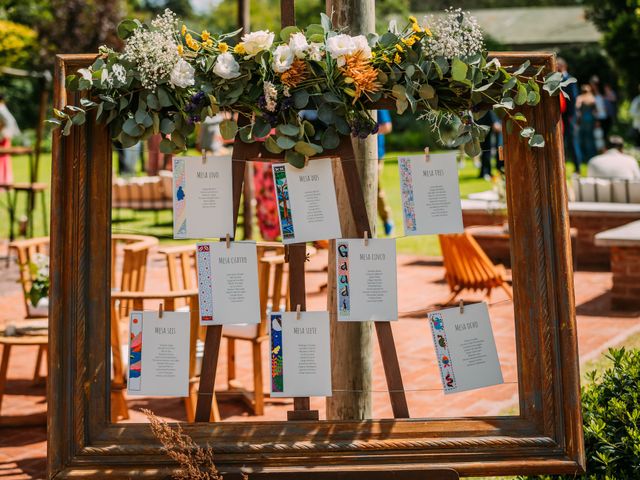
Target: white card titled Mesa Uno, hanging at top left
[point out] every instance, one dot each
(202, 197)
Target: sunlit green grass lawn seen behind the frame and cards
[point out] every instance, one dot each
(160, 225)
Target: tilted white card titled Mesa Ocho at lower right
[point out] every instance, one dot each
(465, 348)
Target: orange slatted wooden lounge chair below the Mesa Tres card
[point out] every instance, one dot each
(467, 267)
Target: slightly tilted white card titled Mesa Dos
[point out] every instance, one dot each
(307, 205)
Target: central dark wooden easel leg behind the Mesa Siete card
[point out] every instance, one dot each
(297, 295)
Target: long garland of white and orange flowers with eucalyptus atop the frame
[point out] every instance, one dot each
(301, 92)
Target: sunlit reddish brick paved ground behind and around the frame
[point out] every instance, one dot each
(23, 451)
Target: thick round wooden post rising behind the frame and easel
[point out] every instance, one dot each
(351, 342)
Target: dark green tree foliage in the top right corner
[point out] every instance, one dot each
(619, 22)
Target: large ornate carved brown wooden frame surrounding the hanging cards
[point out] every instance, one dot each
(546, 436)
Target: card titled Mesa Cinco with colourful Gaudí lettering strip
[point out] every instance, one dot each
(367, 280)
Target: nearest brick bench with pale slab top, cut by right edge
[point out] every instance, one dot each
(624, 243)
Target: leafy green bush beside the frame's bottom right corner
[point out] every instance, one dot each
(611, 417)
